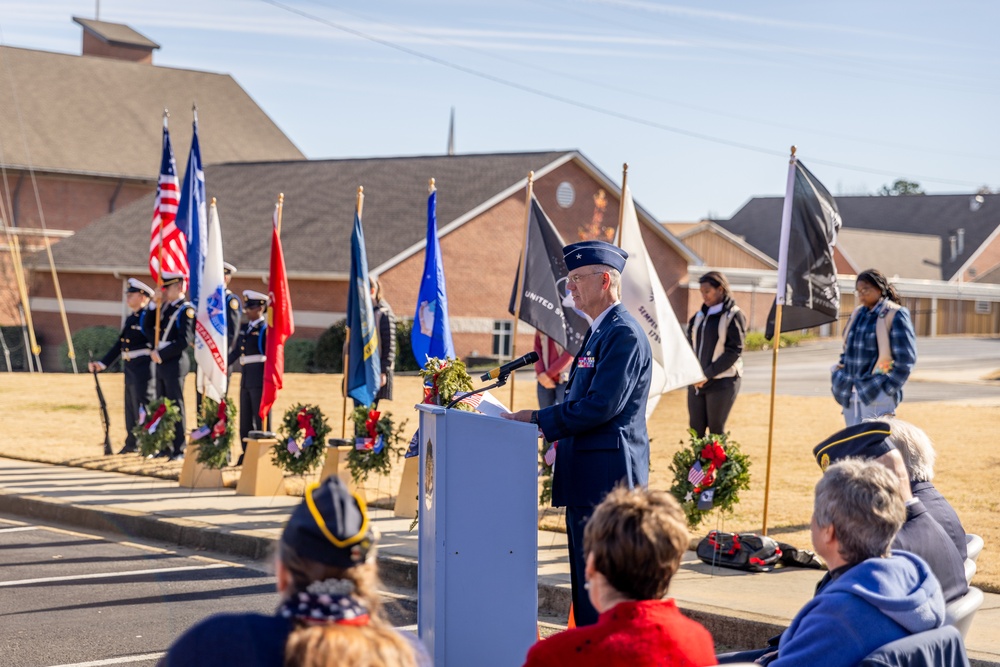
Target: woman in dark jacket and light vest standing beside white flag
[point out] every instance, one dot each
(717, 333)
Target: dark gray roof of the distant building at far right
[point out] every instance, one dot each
(759, 221)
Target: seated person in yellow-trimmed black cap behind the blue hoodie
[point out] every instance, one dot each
(921, 534)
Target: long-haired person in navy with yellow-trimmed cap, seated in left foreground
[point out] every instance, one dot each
(329, 611)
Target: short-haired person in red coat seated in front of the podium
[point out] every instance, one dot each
(634, 543)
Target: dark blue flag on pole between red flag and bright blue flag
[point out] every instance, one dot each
(364, 370)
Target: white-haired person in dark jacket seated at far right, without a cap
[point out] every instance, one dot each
(918, 455)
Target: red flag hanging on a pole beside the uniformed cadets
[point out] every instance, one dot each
(279, 321)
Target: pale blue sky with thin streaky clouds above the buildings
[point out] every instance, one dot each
(702, 98)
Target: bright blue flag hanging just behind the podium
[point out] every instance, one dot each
(431, 333)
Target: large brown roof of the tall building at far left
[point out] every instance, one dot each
(103, 117)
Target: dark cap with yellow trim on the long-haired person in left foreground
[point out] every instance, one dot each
(331, 526)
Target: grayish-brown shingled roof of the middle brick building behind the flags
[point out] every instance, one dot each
(318, 212)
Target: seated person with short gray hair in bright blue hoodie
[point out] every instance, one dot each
(869, 597)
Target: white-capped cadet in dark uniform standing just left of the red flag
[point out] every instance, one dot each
(250, 349)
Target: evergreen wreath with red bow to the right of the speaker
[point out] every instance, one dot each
(712, 465)
